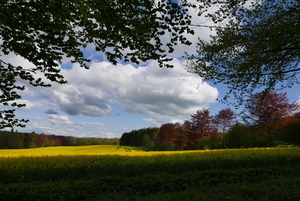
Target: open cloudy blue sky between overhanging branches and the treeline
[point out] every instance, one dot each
(108, 100)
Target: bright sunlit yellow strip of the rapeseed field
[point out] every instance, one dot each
(132, 151)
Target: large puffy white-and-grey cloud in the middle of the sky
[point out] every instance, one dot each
(160, 93)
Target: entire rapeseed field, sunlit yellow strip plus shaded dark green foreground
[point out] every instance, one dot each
(127, 173)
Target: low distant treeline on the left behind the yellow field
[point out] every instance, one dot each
(16, 140)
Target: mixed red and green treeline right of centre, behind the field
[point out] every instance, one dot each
(269, 120)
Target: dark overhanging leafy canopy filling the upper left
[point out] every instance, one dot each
(46, 31)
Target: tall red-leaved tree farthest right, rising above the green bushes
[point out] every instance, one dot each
(267, 111)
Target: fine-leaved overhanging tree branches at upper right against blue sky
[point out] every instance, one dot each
(256, 45)
